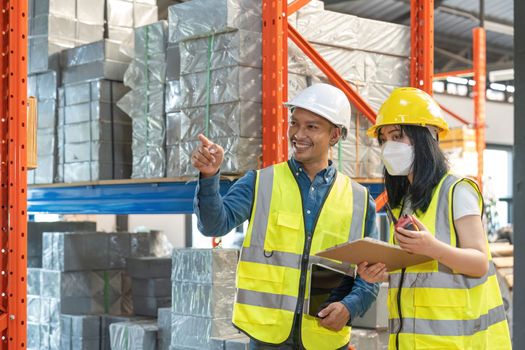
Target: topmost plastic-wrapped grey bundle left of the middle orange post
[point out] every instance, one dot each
(192, 19)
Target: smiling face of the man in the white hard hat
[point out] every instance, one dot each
(311, 136)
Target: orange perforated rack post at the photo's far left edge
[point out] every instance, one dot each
(13, 174)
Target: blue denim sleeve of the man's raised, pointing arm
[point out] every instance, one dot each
(217, 215)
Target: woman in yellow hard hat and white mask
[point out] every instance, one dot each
(453, 301)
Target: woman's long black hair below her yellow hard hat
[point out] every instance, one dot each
(430, 165)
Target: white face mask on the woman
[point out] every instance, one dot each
(397, 157)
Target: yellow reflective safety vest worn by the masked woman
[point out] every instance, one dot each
(432, 307)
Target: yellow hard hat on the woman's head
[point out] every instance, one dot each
(408, 105)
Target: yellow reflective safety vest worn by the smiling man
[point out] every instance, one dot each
(277, 253)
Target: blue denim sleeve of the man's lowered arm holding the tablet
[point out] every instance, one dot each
(363, 293)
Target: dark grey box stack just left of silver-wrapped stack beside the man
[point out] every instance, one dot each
(150, 284)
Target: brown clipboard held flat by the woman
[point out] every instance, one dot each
(373, 251)
